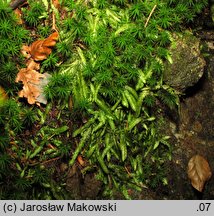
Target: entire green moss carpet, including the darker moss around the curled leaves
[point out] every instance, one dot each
(107, 73)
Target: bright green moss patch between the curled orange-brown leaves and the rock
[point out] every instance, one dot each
(117, 65)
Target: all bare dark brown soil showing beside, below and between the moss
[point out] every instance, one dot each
(190, 130)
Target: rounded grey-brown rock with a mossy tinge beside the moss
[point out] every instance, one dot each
(187, 65)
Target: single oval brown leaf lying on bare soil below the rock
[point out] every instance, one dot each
(198, 172)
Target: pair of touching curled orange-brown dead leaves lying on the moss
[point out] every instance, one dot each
(33, 81)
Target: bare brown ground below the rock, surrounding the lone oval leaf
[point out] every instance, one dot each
(195, 136)
